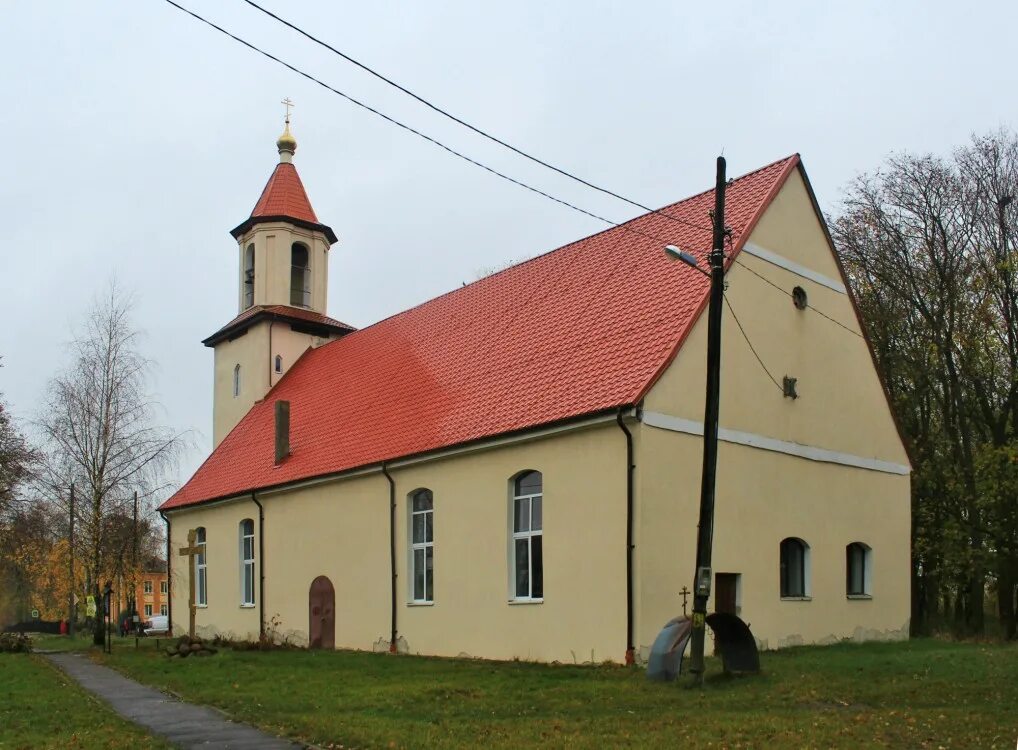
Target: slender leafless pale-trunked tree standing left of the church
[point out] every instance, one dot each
(100, 429)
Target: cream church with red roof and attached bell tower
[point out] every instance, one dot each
(392, 488)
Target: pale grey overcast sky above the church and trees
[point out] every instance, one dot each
(137, 139)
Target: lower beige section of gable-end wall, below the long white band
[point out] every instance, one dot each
(762, 499)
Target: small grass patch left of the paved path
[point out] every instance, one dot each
(42, 708)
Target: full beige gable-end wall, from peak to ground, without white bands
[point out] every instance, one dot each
(764, 497)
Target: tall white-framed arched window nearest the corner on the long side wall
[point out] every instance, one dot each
(527, 551)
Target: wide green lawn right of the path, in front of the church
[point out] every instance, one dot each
(924, 694)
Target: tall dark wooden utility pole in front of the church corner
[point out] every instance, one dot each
(705, 530)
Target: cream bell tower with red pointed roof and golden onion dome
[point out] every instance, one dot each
(282, 294)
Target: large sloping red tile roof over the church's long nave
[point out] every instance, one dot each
(582, 330)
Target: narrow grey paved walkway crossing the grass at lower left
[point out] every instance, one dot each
(183, 724)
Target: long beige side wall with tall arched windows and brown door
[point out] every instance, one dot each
(342, 530)
